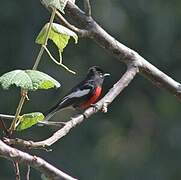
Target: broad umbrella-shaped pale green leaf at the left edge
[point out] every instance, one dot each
(28, 79)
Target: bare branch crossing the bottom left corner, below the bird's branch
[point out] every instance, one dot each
(36, 162)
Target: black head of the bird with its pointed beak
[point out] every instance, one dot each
(96, 73)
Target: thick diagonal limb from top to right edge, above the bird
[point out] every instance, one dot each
(121, 52)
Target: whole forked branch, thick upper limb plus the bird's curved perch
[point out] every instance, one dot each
(121, 52)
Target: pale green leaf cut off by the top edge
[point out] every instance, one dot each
(59, 4)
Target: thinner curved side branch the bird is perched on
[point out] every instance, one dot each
(103, 103)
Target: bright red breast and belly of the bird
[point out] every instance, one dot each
(92, 99)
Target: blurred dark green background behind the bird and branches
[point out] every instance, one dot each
(139, 137)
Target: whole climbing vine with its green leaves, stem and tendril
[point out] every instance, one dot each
(31, 80)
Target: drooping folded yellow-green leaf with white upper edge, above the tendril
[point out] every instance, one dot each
(59, 34)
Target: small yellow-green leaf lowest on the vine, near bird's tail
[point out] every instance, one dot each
(28, 120)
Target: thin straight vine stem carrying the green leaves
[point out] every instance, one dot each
(37, 61)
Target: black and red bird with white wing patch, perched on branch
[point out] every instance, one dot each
(82, 95)
